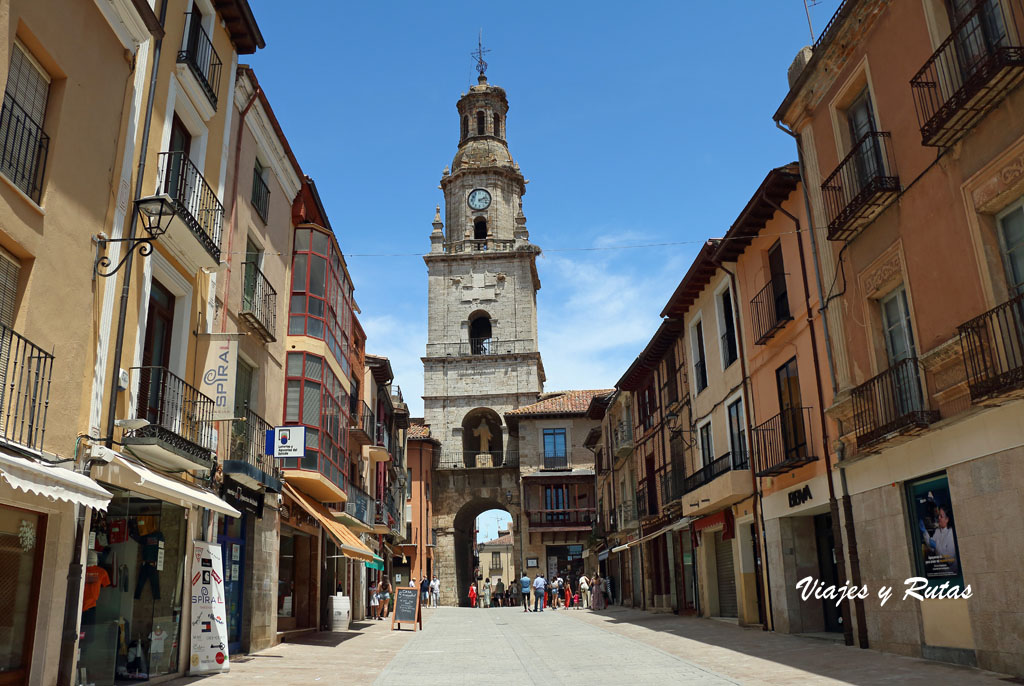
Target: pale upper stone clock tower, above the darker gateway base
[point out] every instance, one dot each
(482, 359)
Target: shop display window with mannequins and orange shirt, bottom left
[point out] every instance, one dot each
(132, 612)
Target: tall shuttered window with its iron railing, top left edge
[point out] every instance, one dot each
(23, 145)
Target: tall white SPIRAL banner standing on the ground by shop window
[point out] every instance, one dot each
(209, 618)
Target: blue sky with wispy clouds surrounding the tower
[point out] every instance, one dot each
(636, 123)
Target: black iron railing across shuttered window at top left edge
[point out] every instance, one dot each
(24, 148)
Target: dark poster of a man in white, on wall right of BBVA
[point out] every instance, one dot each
(933, 527)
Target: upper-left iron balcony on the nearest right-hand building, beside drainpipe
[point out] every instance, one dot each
(862, 187)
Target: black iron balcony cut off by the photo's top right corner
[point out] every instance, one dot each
(973, 70)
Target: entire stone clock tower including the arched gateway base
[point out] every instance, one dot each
(482, 359)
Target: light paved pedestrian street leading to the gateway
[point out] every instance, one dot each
(507, 647)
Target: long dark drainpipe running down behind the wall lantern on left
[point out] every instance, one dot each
(76, 571)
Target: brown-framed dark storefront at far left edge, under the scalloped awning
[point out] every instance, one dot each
(22, 537)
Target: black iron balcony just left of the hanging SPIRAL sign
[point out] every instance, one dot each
(180, 415)
